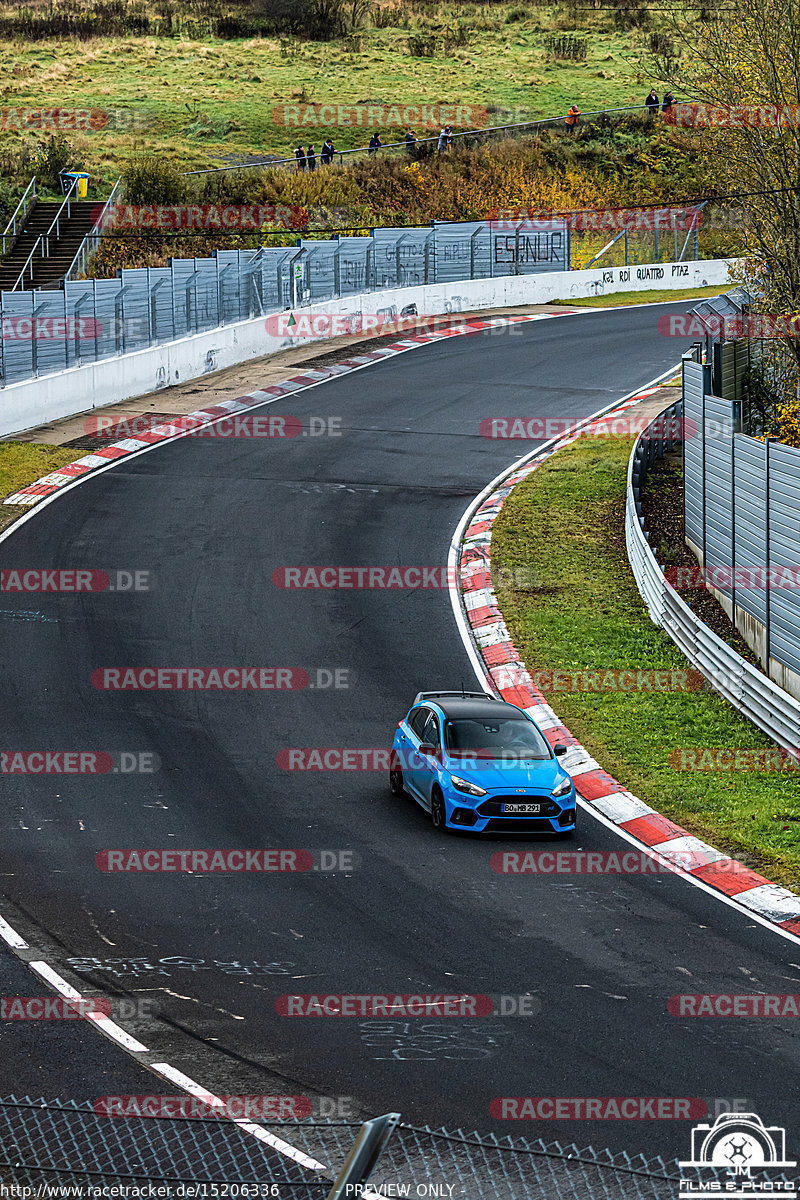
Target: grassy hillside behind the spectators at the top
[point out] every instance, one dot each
(212, 100)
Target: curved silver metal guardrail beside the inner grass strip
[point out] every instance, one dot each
(742, 685)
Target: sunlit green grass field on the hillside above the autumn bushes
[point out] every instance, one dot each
(208, 99)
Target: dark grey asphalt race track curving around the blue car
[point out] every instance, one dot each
(213, 520)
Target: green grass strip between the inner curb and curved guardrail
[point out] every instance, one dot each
(567, 523)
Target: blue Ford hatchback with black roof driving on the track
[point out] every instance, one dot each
(476, 763)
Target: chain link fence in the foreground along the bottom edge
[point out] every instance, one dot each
(55, 1145)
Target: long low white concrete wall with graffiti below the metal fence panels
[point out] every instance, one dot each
(34, 403)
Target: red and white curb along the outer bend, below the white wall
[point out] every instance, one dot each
(183, 427)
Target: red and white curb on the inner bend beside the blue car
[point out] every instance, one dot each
(500, 664)
